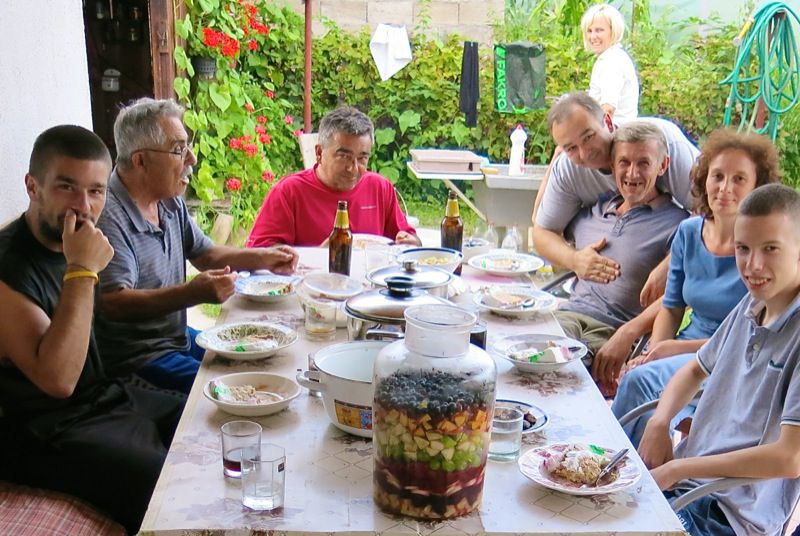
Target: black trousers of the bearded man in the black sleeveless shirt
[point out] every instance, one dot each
(111, 459)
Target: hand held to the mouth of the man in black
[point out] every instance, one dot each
(85, 246)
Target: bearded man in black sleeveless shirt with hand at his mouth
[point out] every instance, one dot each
(64, 425)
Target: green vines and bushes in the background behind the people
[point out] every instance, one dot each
(418, 107)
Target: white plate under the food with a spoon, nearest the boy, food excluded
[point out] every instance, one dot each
(531, 464)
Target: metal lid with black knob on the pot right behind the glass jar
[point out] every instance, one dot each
(387, 305)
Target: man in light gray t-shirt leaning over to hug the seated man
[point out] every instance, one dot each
(579, 176)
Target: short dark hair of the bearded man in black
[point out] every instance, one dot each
(72, 141)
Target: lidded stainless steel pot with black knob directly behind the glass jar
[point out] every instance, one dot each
(378, 314)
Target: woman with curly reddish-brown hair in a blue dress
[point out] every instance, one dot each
(702, 271)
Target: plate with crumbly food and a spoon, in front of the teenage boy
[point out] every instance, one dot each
(573, 468)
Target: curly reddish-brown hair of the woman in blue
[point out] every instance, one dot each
(759, 149)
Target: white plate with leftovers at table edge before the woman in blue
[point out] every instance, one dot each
(532, 352)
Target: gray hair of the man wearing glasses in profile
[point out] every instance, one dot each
(137, 126)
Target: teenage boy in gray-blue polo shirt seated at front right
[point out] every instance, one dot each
(747, 422)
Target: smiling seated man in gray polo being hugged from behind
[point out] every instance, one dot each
(637, 226)
